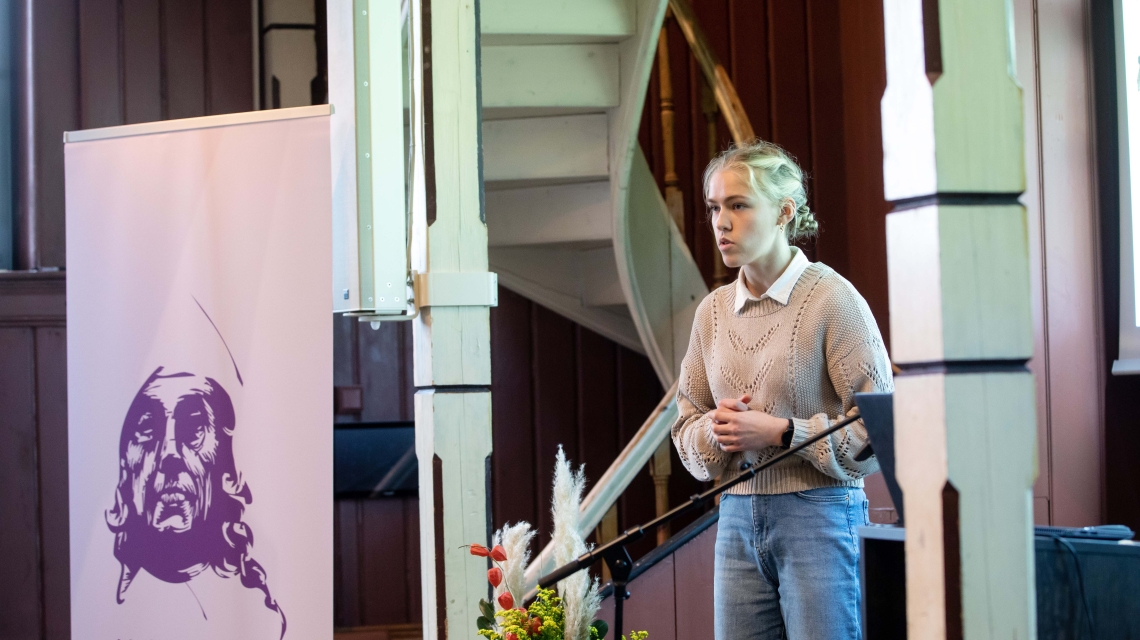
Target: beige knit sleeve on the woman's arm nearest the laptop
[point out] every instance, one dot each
(857, 363)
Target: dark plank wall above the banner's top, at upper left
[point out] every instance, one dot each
(101, 63)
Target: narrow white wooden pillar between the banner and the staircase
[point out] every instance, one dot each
(452, 336)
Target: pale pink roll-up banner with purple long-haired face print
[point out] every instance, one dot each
(199, 379)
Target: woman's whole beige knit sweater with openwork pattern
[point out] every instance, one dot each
(804, 361)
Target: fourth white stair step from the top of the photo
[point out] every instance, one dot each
(577, 214)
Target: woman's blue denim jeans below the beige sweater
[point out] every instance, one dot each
(787, 566)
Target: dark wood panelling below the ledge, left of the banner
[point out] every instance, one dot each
(35, 584)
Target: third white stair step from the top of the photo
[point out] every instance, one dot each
(535, 151)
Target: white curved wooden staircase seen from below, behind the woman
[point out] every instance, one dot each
(575, 218)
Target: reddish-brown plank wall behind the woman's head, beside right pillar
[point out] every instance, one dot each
(810, 75)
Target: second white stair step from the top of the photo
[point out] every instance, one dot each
(551, 76)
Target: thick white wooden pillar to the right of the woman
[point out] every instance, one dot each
(960, 317)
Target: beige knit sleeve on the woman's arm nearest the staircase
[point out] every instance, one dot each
(693, 433)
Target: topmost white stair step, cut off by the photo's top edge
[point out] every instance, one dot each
(557, 21)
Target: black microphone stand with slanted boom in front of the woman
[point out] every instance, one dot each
(615, 553)
